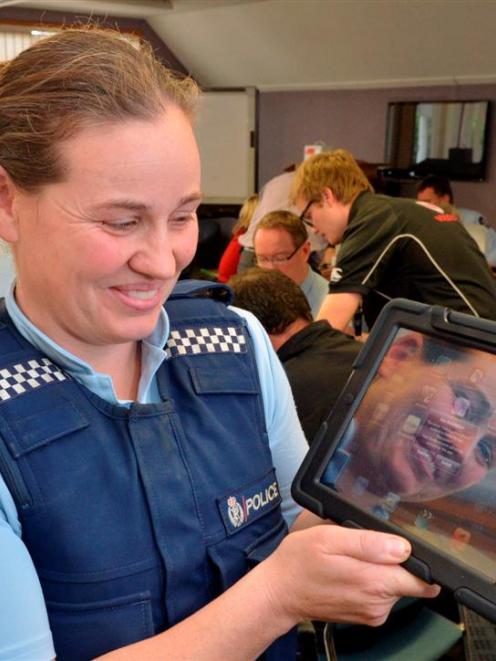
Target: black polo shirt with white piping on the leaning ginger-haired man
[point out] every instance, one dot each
(397, 247)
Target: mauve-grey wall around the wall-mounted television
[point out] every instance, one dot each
(356, 120)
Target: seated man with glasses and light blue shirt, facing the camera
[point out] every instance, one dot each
(281, 242)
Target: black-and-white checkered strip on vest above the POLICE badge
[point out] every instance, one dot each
(210, 339)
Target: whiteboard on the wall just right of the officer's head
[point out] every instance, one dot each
(226, 133)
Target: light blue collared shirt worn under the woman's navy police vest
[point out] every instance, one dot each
(24, 627)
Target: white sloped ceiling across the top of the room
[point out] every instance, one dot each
(317, 44)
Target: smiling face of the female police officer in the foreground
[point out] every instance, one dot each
(98, 253)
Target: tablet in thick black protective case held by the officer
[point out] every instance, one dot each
(410, 447)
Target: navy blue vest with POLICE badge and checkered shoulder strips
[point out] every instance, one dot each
(135, 518)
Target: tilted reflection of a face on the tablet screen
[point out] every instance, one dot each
(424, 427)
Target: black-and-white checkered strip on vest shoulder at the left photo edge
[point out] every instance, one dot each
(21, 378)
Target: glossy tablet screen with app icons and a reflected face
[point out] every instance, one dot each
(420, 447)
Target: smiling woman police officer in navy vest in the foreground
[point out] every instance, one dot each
(146, 454)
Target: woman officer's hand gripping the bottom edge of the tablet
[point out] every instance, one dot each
(340, 575)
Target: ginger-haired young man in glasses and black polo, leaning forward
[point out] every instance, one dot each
(388, 247)
